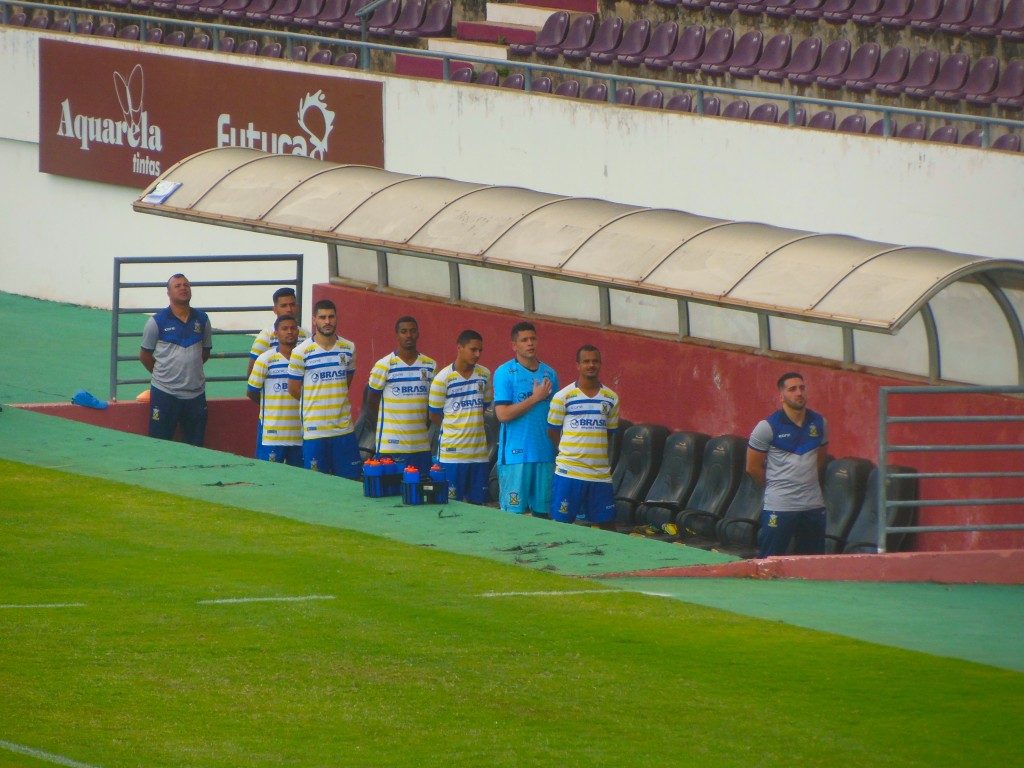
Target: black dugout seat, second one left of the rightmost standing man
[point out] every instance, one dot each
(721, 472)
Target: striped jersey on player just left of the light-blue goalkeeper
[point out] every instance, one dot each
(462, 402)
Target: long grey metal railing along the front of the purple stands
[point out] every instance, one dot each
(530, 69)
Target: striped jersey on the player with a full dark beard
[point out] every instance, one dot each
(324, 373)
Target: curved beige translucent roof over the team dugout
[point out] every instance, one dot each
(825, 278)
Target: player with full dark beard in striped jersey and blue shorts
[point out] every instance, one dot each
(319, 375)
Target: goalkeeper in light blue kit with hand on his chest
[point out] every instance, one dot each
(526, 456)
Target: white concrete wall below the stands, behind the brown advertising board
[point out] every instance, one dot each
(61, 236)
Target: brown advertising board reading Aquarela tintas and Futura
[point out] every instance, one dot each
(124, 117)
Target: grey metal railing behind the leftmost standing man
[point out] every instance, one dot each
(295, 281)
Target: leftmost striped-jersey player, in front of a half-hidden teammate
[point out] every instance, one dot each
(280, 435)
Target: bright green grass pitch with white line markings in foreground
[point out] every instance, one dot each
(409, 665)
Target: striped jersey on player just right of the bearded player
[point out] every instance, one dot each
(402, 418)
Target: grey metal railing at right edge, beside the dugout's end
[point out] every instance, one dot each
(886, 448)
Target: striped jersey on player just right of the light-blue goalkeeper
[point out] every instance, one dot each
(585, 421)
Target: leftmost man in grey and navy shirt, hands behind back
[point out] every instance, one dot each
(177, 343)
